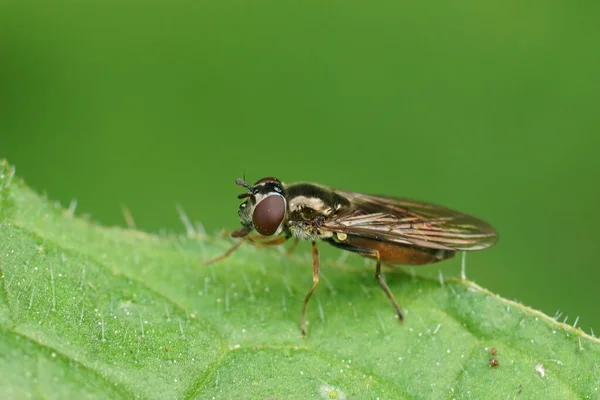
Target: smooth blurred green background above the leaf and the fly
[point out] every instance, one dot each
(487, 107)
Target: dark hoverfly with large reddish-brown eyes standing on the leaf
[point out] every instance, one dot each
(387, 229)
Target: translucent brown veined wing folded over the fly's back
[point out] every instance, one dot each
(411, 222)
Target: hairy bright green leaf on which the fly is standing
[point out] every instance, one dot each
(90, 311)
